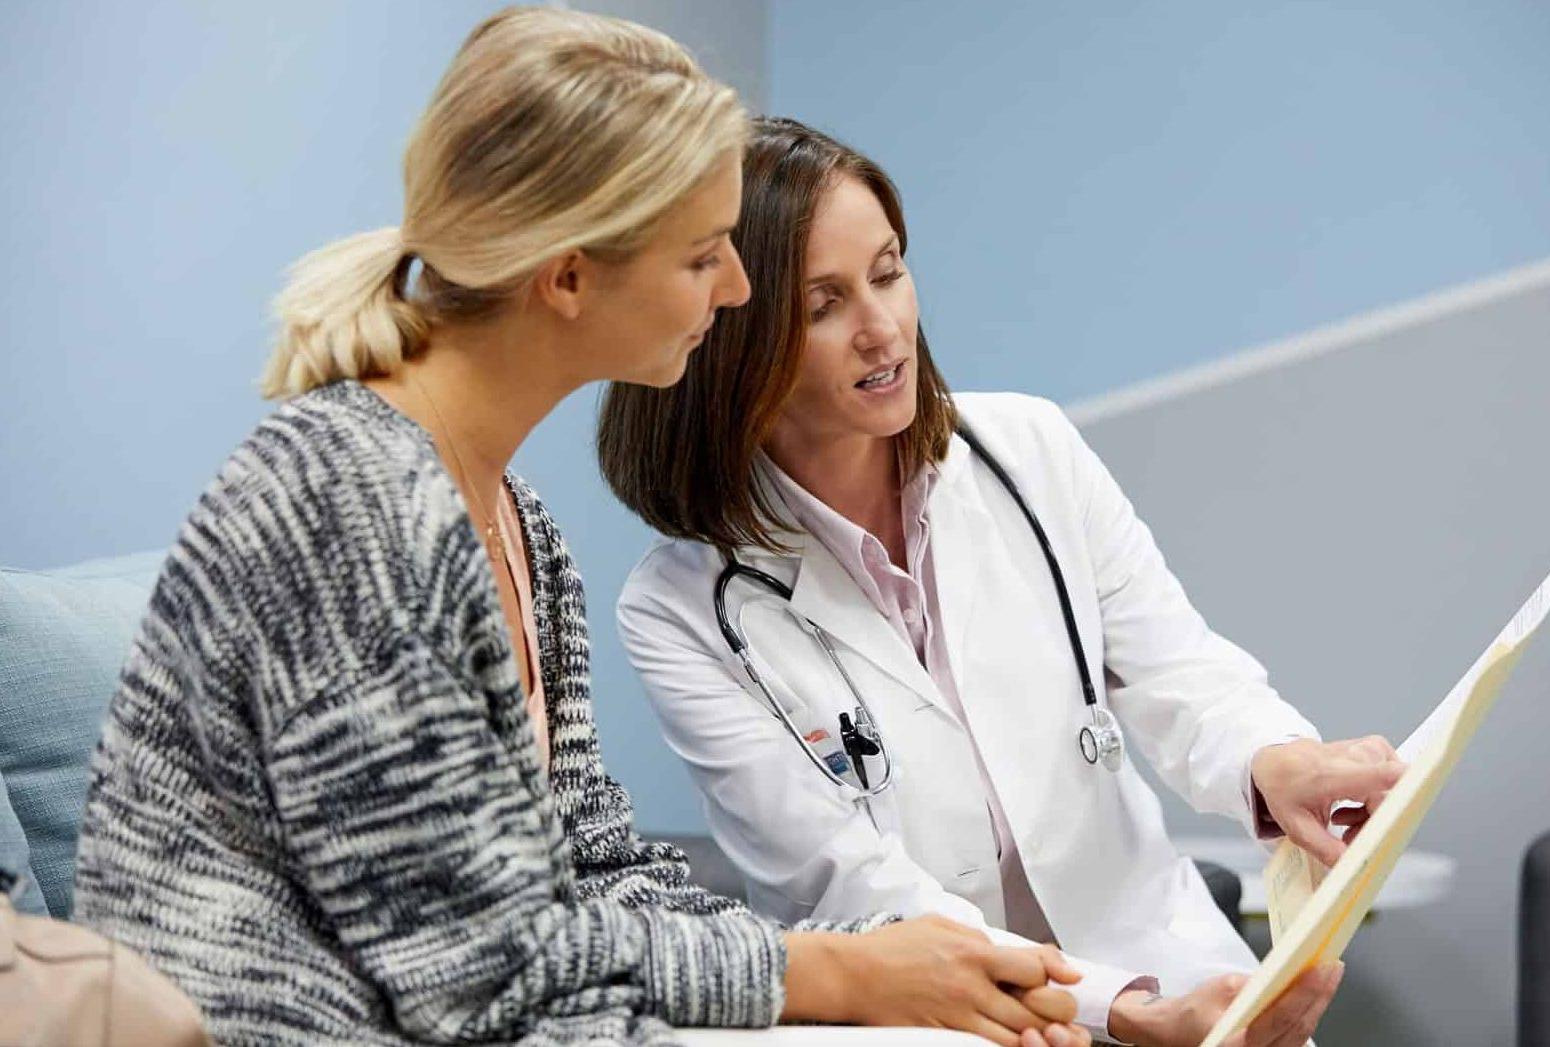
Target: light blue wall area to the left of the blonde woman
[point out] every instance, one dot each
(165, 164)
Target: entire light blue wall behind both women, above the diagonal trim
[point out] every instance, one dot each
(1098, 193)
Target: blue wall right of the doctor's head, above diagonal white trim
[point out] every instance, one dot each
(1100, 193)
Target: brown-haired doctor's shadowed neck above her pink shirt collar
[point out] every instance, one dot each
(858, 477)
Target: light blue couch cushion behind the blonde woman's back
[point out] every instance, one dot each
(63, 640)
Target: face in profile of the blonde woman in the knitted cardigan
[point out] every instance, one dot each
(656, 308)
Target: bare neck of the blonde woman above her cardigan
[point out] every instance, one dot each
(480, 390)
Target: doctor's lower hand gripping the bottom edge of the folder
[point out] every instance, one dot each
(1185, 1021)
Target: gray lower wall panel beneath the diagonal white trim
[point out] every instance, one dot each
(1365, 520)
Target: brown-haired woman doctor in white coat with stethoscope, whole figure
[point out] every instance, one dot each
(818, 444)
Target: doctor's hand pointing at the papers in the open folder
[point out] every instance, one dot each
(1303, 781)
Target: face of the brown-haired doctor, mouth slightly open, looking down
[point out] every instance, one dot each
(858, 371)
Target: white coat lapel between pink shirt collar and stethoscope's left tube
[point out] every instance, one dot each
(830, 598)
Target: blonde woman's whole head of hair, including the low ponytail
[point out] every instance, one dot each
(553, 131)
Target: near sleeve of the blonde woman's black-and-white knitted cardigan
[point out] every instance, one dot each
(430, 854)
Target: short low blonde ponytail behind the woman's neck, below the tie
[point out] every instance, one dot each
(343, 316)
